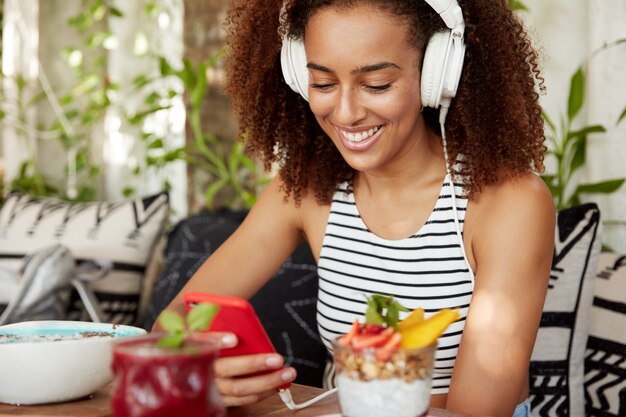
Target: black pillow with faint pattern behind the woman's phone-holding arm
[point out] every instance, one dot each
(286, 305)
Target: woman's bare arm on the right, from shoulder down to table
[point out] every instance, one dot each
(512, 238)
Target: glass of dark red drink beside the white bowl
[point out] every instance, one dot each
(164, 382)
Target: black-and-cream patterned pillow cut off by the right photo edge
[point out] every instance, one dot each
(605, 364)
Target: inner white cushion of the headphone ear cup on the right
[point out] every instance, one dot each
(433, 71)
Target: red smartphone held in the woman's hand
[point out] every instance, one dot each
(236, 315)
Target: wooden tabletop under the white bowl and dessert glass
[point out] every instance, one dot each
(98, 406)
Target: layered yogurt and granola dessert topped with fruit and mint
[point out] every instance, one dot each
(384, 366)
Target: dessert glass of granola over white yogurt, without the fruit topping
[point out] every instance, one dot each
(397, 385)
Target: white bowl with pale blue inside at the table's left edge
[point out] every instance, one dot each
(55, 361)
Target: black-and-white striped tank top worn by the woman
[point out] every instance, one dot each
(428, 269)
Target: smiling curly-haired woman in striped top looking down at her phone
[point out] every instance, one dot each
(366, 179)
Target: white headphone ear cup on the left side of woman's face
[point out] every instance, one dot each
(293, 64)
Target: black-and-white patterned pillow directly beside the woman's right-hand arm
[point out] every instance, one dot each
(556, 369)
